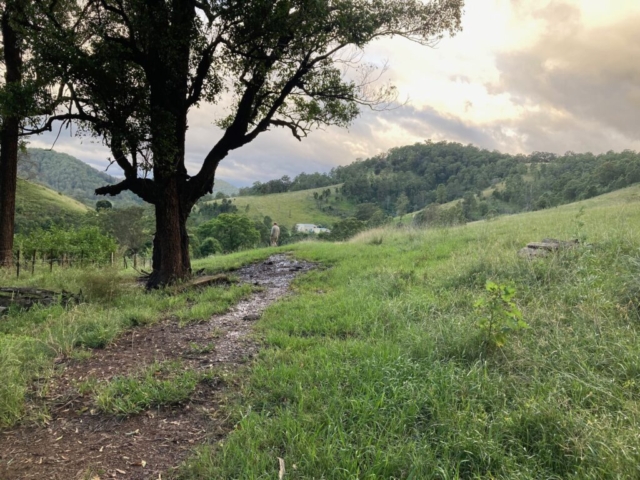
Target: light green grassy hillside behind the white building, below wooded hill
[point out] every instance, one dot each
(297, 207)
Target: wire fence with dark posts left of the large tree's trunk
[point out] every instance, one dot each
(39, 262)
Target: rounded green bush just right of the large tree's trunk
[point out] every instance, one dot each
(234, 232)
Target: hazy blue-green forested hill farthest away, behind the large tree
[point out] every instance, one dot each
(76, 179)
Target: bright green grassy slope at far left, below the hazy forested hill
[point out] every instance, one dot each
(37, 205)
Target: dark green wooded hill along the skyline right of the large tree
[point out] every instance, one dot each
(407, 179)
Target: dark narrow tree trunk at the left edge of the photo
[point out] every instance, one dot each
(9, 142)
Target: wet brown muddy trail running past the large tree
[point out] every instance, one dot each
(80, 442)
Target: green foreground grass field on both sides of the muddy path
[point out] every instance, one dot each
(376, 367)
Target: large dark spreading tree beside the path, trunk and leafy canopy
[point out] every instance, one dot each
(138, 67)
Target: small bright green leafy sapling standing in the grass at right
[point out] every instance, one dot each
(498, 314)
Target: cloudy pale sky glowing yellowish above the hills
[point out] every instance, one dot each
(522, 76)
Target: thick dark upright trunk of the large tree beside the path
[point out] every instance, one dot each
(168, 74)
